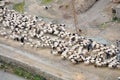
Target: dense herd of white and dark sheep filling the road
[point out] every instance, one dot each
(35, 32)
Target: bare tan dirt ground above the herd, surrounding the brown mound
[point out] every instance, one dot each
(95, 23)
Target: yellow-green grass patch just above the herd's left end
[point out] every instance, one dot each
(19, 7)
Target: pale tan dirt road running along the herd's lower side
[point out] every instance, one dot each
(61, 68)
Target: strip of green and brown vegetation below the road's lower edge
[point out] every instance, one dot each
(19, 71)
